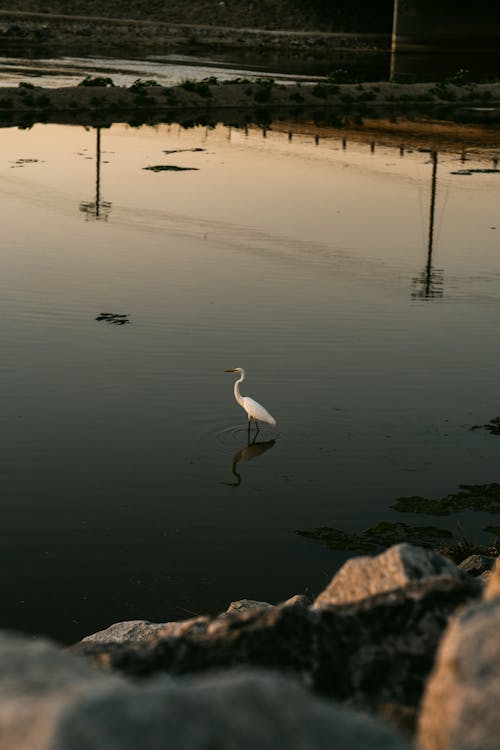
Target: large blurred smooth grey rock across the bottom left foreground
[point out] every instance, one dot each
(50, 700)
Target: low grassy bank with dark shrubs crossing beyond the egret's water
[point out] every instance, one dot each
(99, 97)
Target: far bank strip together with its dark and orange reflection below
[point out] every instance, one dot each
(429, 112)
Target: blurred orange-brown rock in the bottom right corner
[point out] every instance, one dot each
(460, 706)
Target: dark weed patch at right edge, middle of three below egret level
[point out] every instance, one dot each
(482, 497)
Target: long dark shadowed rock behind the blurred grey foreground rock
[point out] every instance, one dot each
(371, 652)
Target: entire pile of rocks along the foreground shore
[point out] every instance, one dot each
(400, 650)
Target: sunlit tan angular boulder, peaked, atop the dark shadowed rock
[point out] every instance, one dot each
(361, 577)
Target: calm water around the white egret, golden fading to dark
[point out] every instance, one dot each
(126, 484)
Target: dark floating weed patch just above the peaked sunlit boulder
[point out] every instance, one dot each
(383, 535)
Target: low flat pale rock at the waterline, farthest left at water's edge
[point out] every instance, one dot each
(142, 631)
